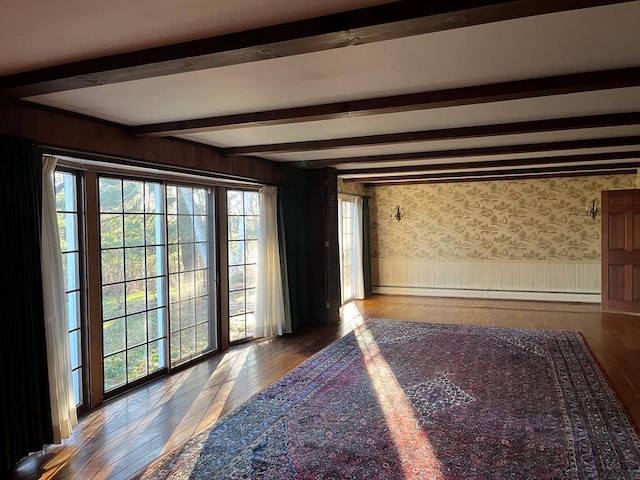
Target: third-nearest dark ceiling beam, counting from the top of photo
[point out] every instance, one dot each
(536, 126)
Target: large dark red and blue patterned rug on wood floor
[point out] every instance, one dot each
(404, 400)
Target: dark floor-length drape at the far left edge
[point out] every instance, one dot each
(25, 412)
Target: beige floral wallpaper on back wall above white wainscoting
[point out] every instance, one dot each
(541, 219)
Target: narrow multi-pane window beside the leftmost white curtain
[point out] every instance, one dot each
(68, 225)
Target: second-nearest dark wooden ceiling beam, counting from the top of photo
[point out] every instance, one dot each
(496, 92)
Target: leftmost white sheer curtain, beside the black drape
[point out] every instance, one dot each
(63, 407)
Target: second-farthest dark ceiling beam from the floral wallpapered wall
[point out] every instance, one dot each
(518, 162)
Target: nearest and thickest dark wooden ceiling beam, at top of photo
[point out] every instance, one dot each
(367, 25)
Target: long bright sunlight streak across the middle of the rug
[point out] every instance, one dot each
(414, 450)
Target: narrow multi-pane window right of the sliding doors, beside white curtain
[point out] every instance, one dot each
(243, 221)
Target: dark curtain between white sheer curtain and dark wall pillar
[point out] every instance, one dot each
(293, 254)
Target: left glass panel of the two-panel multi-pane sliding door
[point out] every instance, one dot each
(134, 307)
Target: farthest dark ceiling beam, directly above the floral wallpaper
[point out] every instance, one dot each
(605, 169)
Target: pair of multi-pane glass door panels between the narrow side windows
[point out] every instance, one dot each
(157, 311)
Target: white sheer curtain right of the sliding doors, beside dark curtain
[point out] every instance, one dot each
(270, 315)
